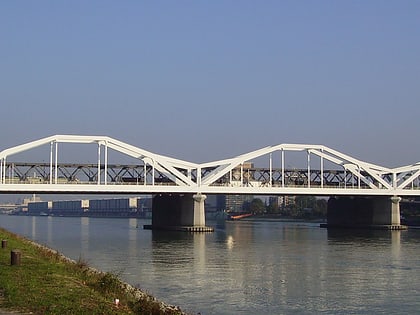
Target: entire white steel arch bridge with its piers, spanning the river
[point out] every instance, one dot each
(317, 170)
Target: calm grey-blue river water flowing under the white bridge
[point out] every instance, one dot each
(246, 267)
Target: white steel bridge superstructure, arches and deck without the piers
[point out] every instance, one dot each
(161, 173)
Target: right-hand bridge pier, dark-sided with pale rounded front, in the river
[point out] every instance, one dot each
(364, 212)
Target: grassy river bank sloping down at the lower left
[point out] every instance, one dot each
(46, 282)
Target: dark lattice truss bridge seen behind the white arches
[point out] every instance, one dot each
(88, 173)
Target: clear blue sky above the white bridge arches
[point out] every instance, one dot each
(204, 80)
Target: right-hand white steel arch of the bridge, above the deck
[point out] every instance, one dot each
(349, 171)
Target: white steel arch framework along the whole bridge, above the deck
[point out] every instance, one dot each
(153, 169)
